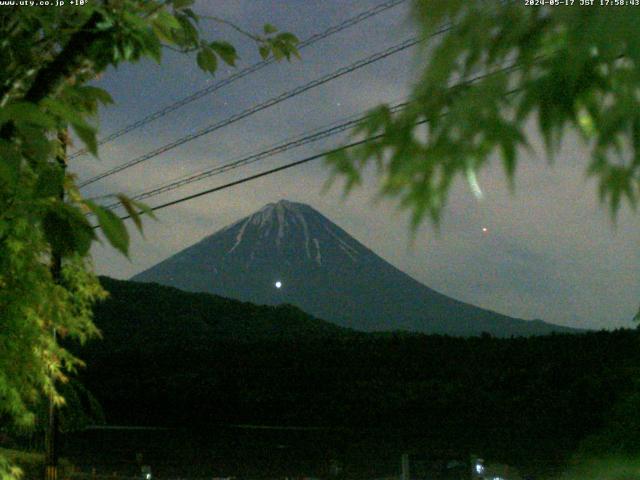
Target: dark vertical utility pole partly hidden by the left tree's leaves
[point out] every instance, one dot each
(51, 437)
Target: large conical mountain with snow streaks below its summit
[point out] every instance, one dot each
(290, 253)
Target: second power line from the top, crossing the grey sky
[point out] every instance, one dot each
(264, 105)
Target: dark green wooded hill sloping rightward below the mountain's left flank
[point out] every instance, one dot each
(149, 316)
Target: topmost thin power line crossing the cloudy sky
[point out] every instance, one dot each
(348, 23)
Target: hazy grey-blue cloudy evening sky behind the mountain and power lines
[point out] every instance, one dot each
(550, 250)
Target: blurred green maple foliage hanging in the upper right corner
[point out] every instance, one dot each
(500, 71)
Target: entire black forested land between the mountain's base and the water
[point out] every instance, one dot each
(196, 360)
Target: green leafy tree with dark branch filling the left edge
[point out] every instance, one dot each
(47, 56)
